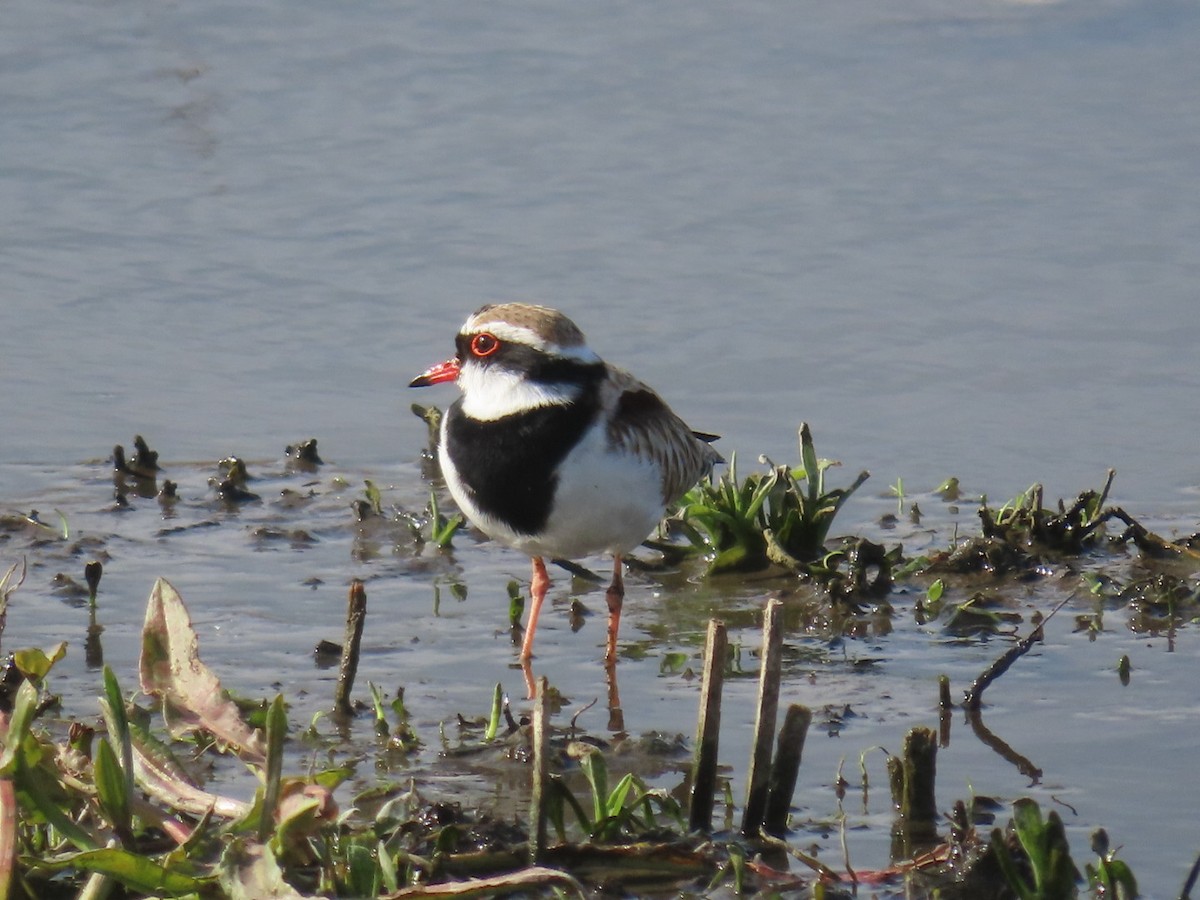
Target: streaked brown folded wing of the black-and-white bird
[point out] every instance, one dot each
(643, 424)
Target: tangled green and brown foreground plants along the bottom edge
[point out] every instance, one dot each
(113, 806)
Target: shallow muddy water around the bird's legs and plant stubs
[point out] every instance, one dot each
(267, 580)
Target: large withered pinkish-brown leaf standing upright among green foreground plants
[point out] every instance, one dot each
(171, 669)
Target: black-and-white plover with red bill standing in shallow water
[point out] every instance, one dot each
(555, 453)
